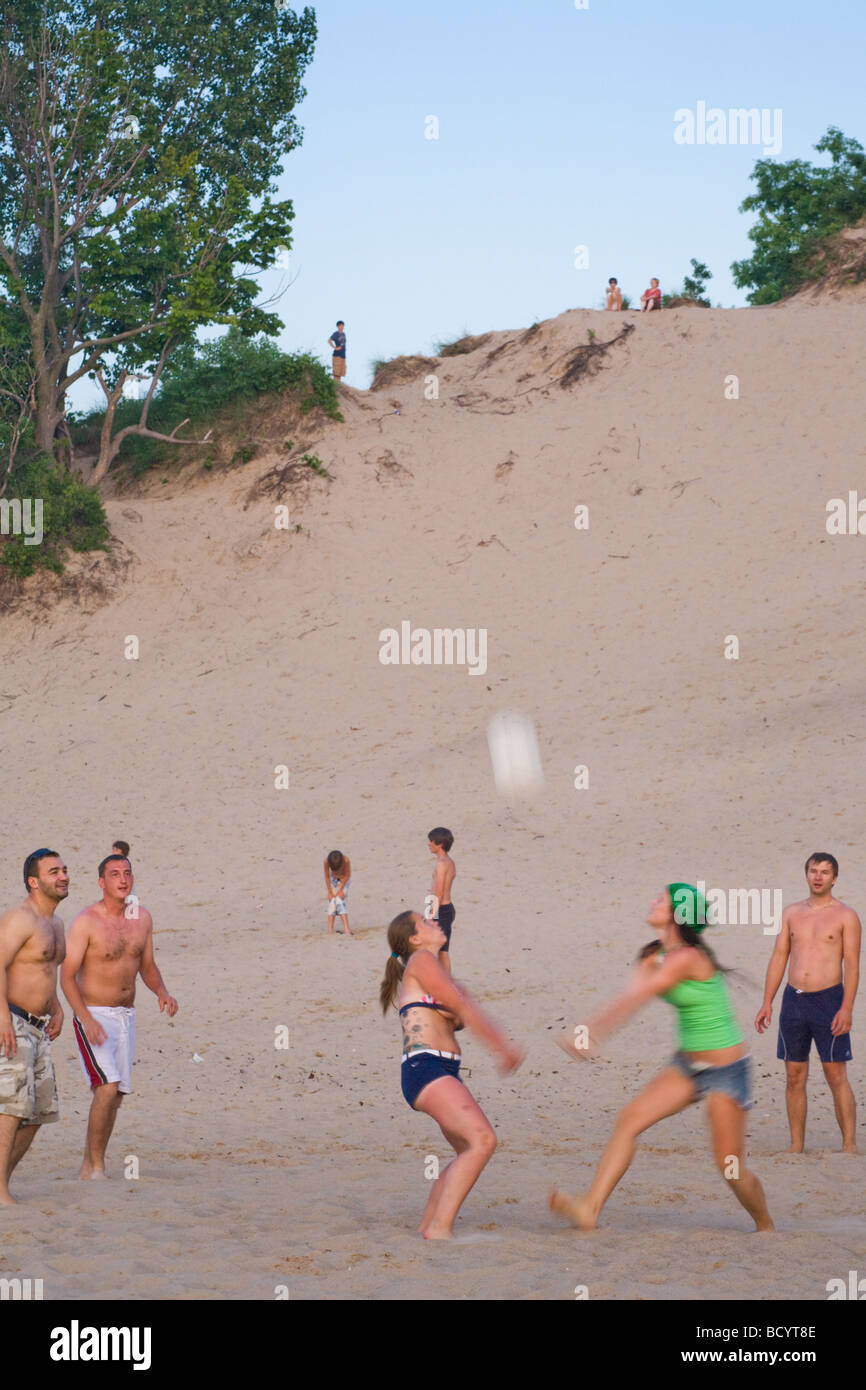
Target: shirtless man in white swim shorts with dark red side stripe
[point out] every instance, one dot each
(109, 946)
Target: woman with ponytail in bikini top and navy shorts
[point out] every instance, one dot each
(433, 1008)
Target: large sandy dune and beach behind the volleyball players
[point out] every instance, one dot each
(261, 647)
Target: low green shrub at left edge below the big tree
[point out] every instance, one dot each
(73, 518)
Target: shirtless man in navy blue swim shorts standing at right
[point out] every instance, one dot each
(822, 936)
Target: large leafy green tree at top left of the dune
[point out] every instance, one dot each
(138, 152)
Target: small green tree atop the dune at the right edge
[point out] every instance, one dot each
(800, 208)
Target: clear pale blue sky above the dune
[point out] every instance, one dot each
(557, 130)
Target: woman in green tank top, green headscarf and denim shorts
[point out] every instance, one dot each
(711, 1063)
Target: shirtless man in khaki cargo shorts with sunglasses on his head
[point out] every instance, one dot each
(31, 949)
